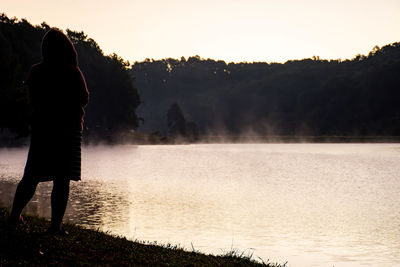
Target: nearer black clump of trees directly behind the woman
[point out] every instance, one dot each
(113, 96)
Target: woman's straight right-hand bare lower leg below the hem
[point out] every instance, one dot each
(59, 199)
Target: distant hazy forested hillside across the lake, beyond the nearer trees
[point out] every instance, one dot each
(309, 97)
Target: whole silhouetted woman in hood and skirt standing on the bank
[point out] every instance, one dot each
(58, 95)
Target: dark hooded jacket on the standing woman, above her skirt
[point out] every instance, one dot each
(57, 88)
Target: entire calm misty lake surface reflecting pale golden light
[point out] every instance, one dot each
(309, 204)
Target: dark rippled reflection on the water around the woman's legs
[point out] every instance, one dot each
(91, 204)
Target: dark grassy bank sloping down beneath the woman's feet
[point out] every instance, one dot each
(31, 245)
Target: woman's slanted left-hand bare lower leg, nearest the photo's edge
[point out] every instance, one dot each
(25, 191)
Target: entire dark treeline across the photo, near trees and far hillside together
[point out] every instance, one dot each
(197, 97)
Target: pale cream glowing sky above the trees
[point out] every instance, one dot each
(230, 30)
